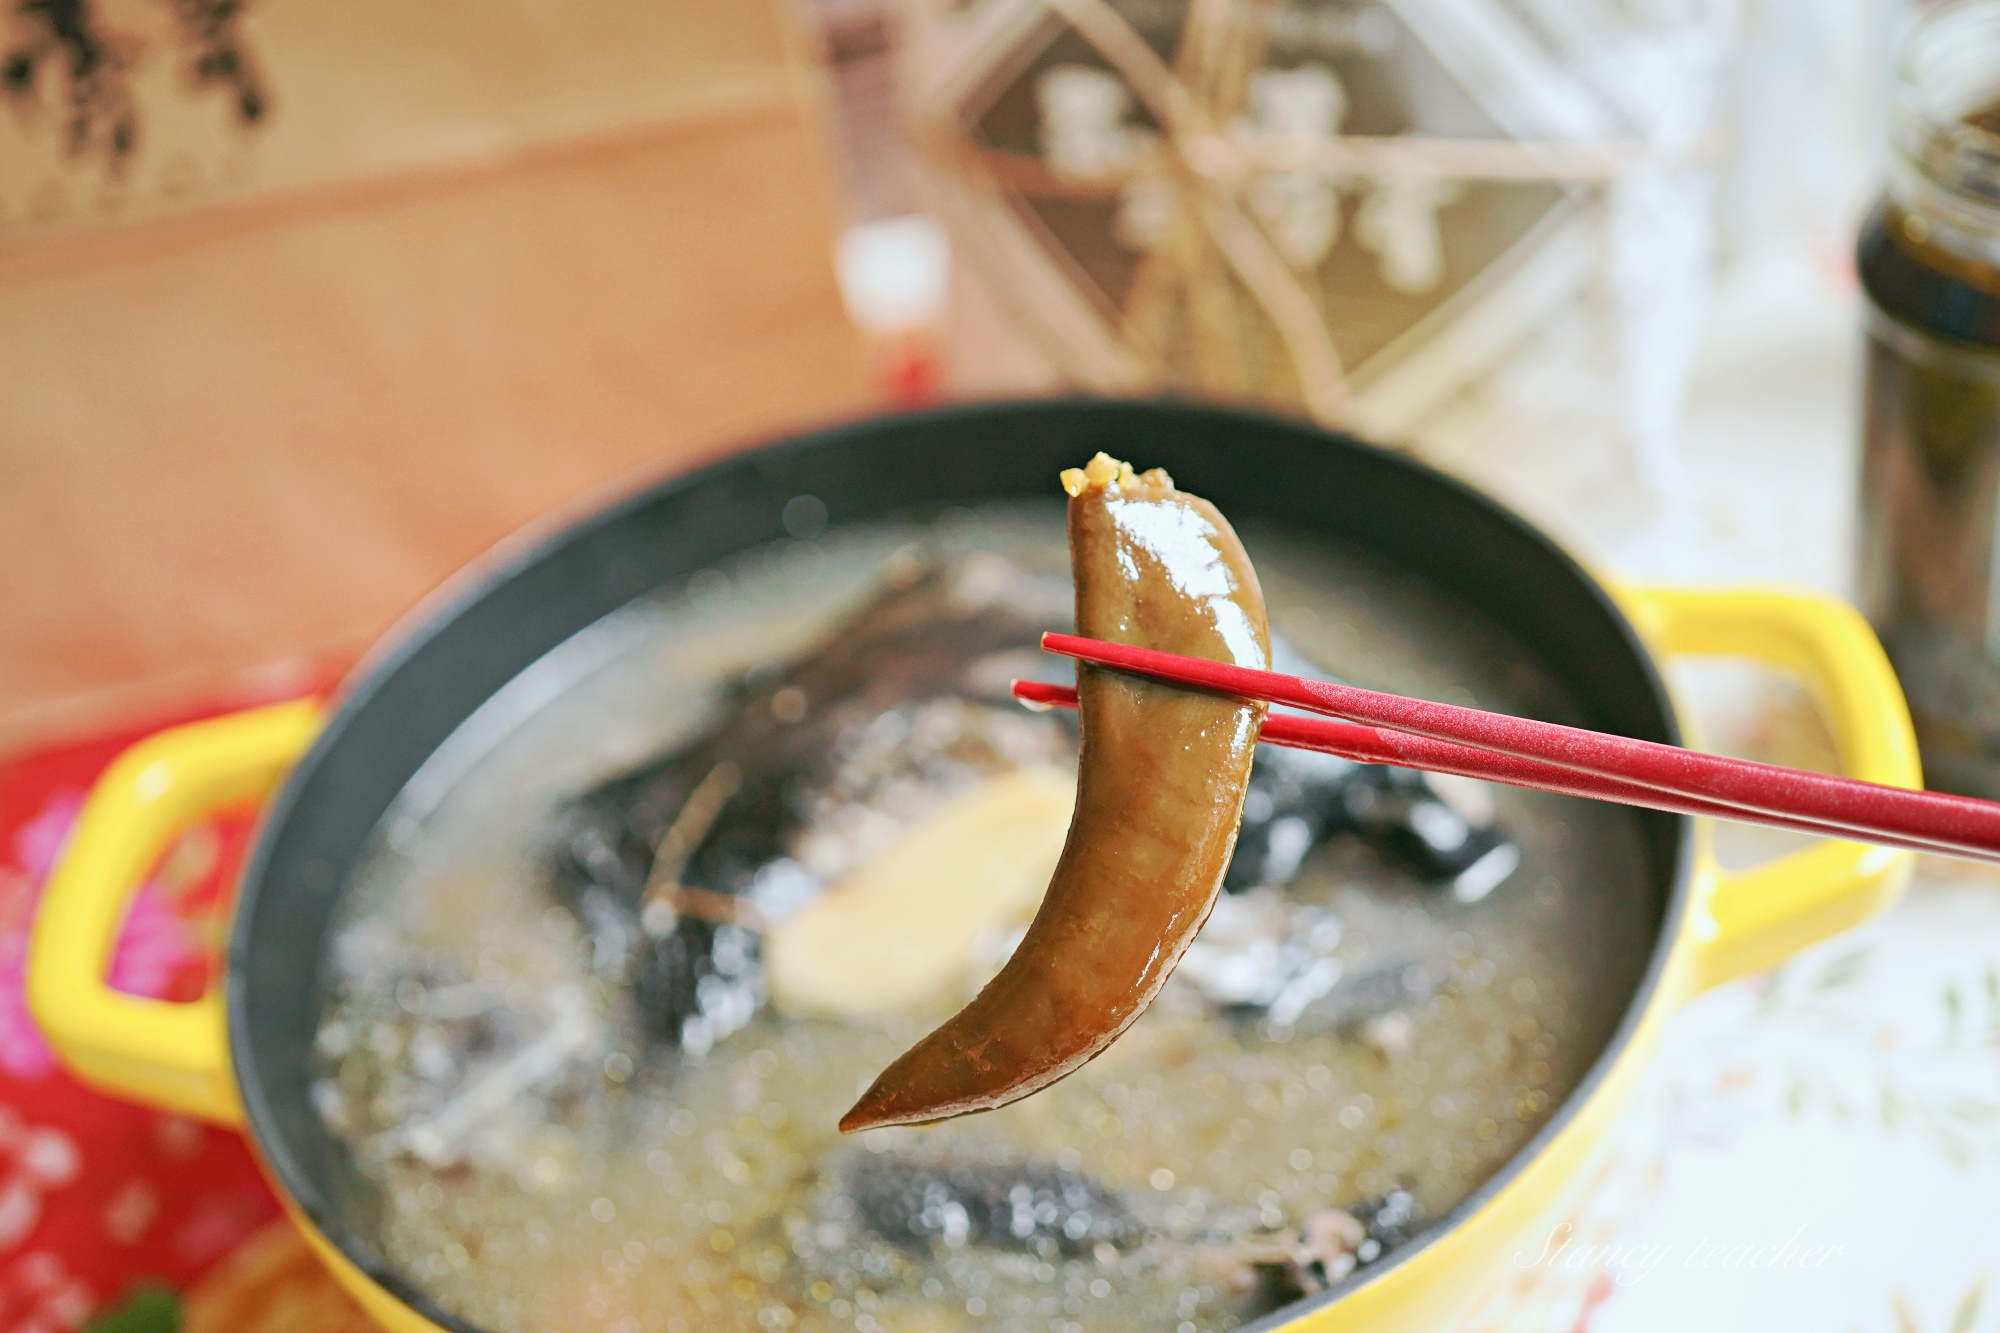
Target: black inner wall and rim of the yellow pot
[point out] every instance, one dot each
(503, 617)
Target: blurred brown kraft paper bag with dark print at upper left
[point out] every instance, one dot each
(305, 305)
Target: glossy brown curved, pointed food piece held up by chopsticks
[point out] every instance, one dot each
(1161, 792)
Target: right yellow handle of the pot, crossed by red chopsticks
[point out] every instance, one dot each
(1753, 920)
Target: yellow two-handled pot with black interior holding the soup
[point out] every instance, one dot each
(239, 1056)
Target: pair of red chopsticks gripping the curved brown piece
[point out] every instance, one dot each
(1415, 734)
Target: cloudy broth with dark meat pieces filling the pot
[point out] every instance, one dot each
(563, 1116)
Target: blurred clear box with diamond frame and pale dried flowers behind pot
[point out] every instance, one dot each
(1369, 211)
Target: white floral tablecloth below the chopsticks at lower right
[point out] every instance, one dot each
(1809, 1150)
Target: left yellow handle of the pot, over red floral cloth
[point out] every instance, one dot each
(155, 1052)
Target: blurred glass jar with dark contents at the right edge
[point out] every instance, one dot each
(1931, 459)
